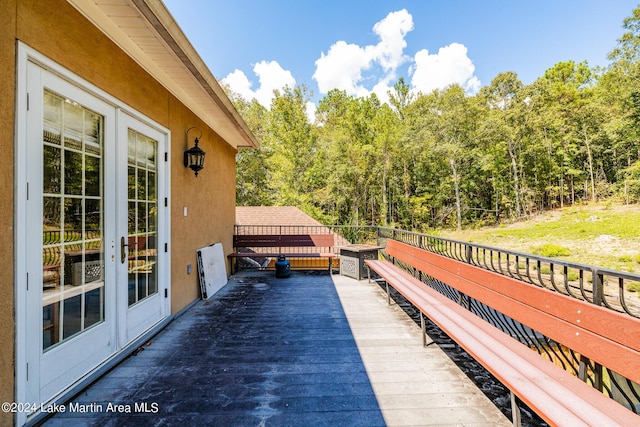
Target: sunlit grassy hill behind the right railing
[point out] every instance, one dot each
(602, 234)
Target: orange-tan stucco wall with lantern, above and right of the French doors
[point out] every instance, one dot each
(62, 34)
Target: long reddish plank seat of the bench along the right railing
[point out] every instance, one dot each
(553, 393)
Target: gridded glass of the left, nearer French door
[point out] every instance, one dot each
(73, 219)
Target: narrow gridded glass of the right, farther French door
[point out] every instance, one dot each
(142, 216)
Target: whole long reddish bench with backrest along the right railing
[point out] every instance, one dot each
(608, 338)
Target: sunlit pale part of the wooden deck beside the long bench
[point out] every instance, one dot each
(414, 385)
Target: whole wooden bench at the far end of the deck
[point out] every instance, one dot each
(289, 245)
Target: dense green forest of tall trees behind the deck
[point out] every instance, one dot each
(450, 159)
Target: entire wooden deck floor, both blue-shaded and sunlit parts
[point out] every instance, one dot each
(311, 349)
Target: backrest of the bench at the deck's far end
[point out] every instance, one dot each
(283, 240)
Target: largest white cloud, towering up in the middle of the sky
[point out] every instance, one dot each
(343, 66)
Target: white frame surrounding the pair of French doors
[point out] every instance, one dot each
(26, 292)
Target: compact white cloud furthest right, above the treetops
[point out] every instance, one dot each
(449, 66)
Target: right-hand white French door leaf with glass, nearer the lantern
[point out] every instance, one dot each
(141, 211)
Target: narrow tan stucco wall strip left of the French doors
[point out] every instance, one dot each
(7, 100)
